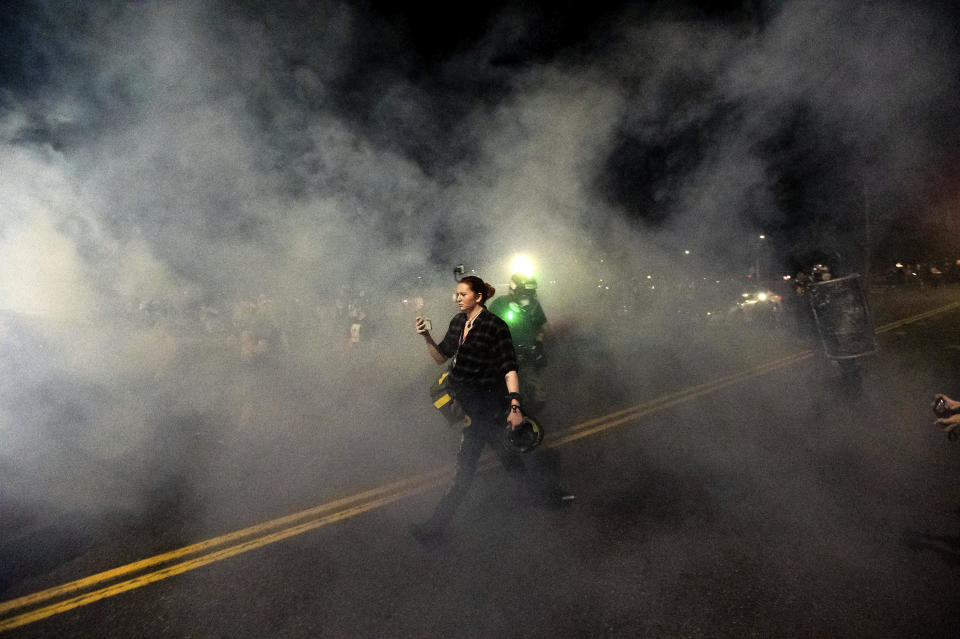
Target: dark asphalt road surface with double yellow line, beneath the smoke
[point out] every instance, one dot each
(725, 485)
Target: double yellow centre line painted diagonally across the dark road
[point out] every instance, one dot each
(175, 562)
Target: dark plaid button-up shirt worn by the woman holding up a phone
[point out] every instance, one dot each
(485, 356)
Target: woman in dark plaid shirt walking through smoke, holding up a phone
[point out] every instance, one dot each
(484, 377)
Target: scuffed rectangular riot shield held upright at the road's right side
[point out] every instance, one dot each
(843, 317)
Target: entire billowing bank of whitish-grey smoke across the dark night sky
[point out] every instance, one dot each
(194, 154)
